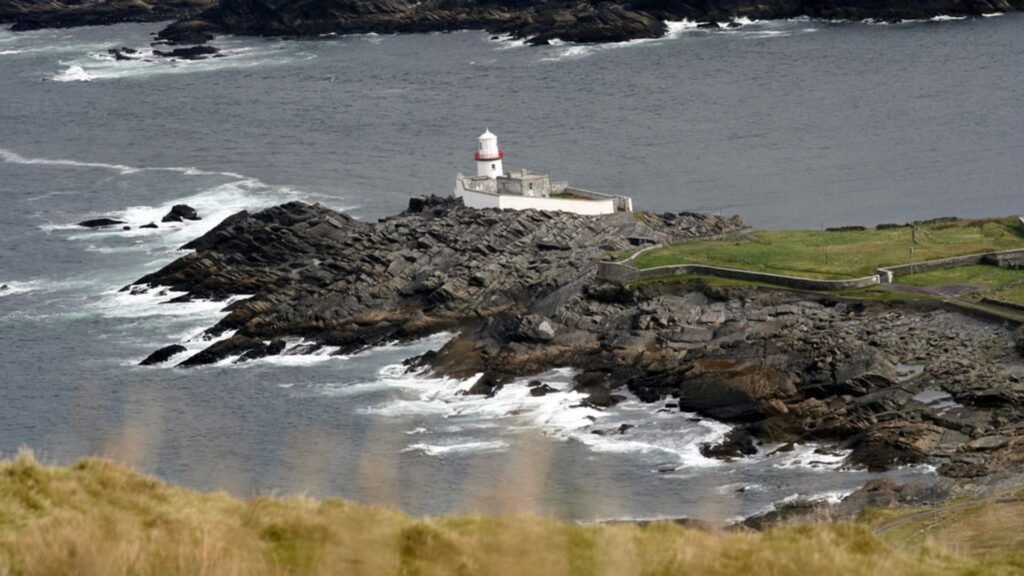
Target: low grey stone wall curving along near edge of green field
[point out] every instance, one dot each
(622, 274)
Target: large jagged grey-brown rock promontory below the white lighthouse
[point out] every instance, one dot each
(895, 383)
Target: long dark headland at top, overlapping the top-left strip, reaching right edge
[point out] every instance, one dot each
(589, 21)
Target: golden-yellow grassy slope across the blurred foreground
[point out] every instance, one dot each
(98, 518)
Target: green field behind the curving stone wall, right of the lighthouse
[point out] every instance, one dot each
(841, 255)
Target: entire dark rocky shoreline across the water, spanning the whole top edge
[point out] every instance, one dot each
(538, 23)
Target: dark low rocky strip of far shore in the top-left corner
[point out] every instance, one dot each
(33, 15)
